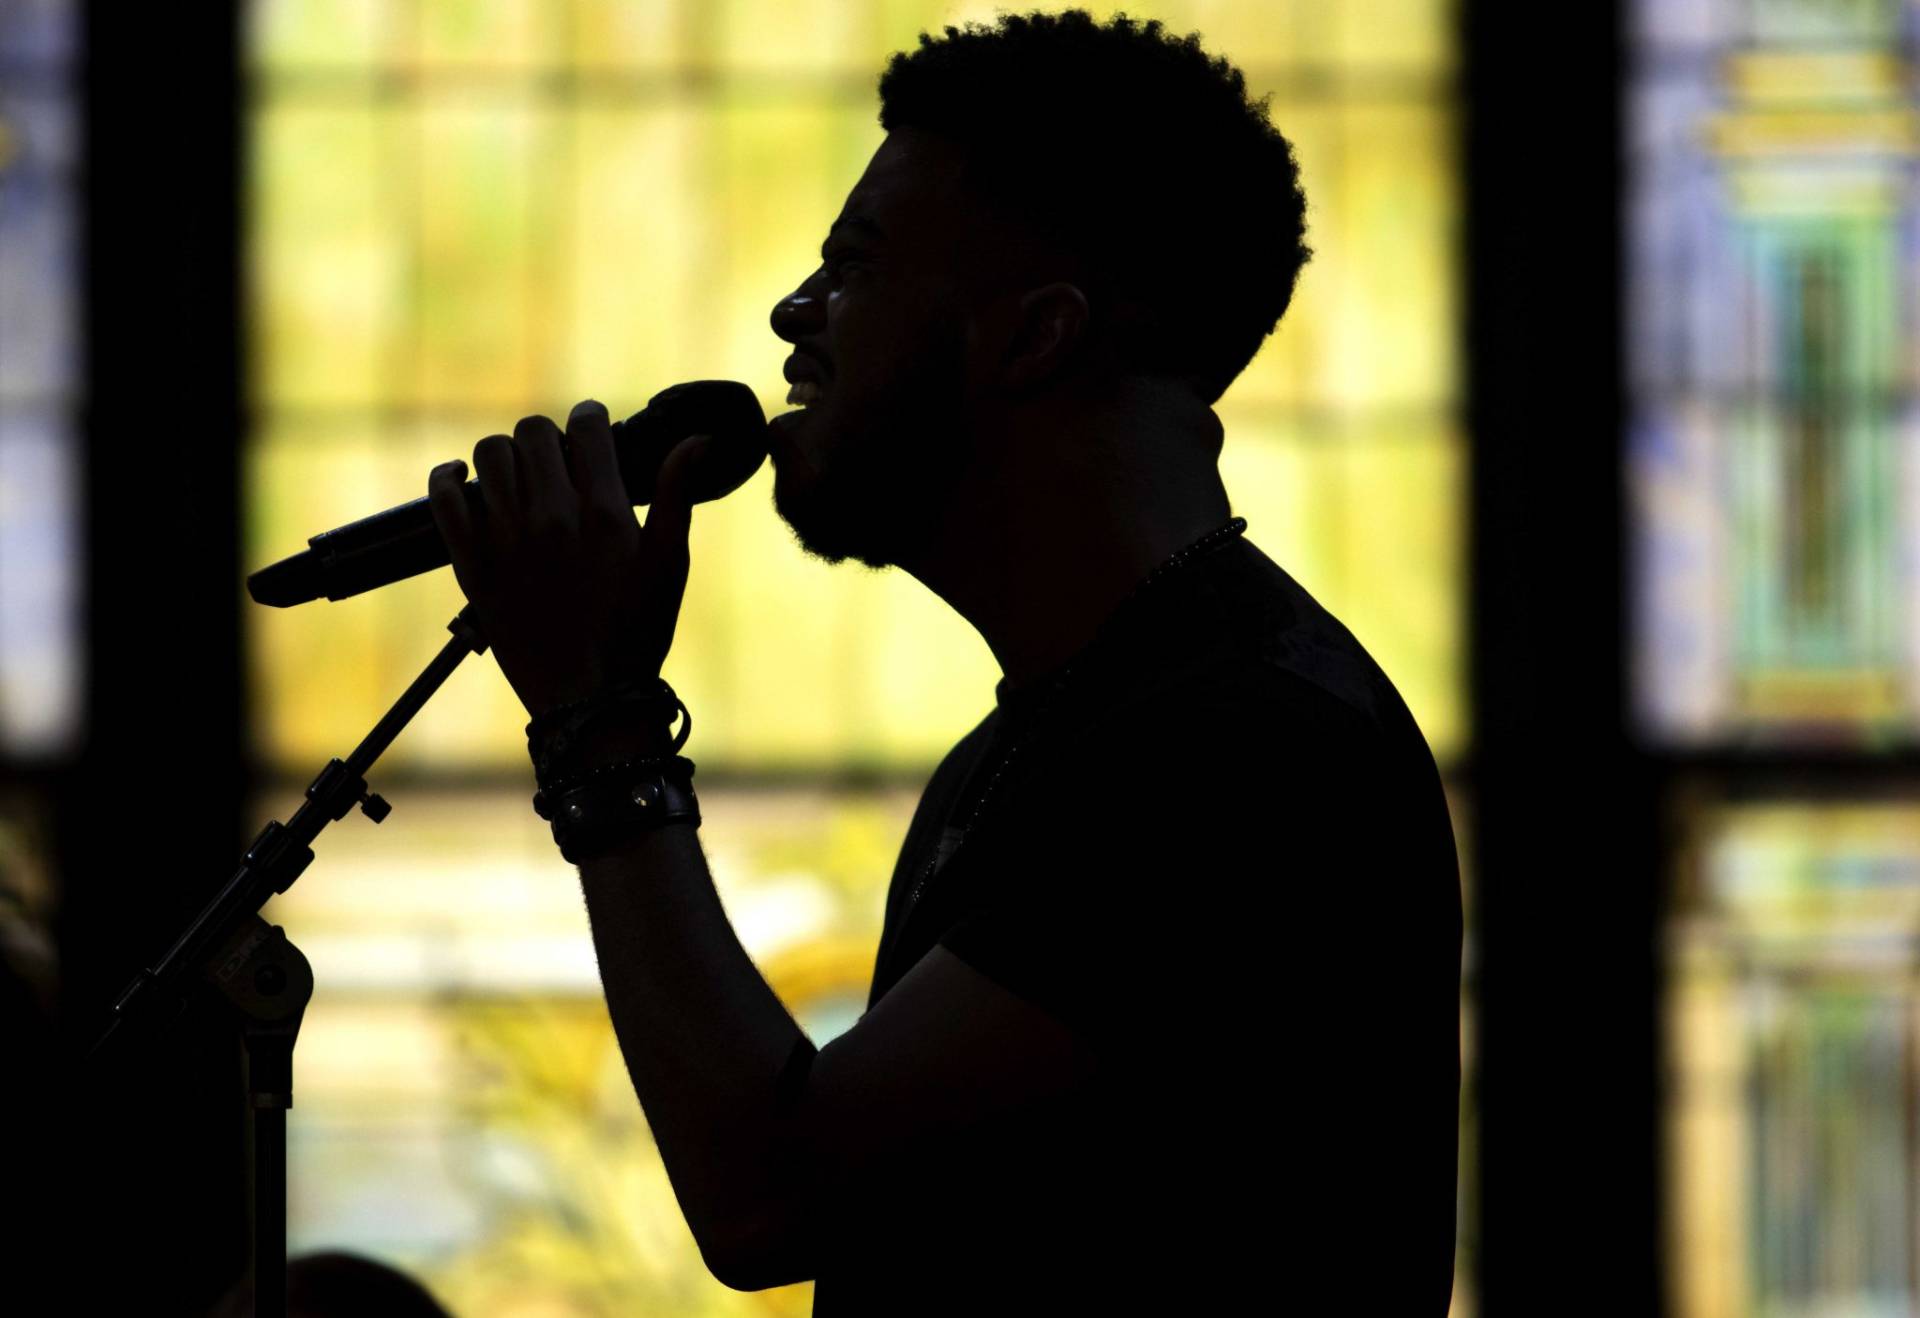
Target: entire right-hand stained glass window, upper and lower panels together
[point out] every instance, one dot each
(1775, 228)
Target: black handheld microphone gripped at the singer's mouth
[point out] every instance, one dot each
(406, 543)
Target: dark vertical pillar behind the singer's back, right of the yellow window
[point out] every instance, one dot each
(1568, 835)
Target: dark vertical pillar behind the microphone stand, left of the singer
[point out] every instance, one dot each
(155, 825)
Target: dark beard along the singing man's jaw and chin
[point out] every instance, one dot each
(882, 474)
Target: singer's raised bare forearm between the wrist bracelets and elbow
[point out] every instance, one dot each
(702, 1033)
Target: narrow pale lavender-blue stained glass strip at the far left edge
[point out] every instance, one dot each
(41, 648)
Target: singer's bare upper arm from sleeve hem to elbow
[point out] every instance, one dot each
(944, 1050)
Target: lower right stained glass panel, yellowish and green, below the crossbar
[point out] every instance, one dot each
(1794, 1035)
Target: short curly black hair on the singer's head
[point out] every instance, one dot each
(1140, 155)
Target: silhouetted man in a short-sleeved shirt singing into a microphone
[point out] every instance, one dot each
(1164, 1013)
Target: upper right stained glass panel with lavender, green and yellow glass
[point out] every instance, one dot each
(1773, 287)
